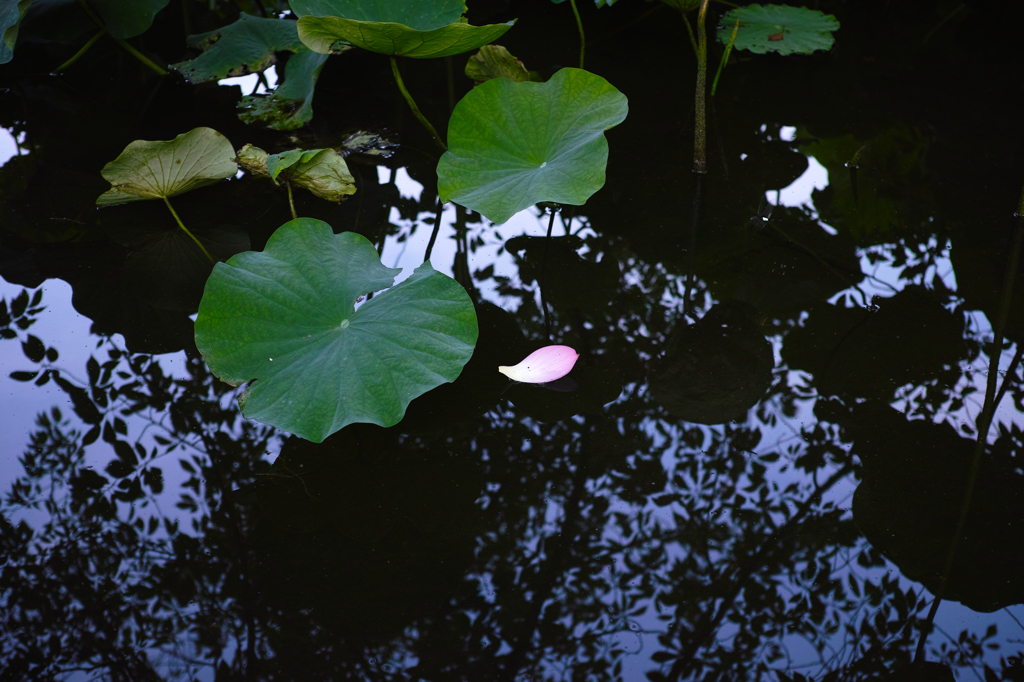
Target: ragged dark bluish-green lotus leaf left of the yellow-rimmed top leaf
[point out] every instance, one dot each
(247, 47)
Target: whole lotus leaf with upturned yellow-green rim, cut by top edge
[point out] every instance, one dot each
(411, 28)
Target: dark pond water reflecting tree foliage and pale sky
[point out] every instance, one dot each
(759, 478)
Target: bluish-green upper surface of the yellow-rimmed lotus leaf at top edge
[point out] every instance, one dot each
(418, 15)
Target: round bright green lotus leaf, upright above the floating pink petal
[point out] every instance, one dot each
(515, 145)
